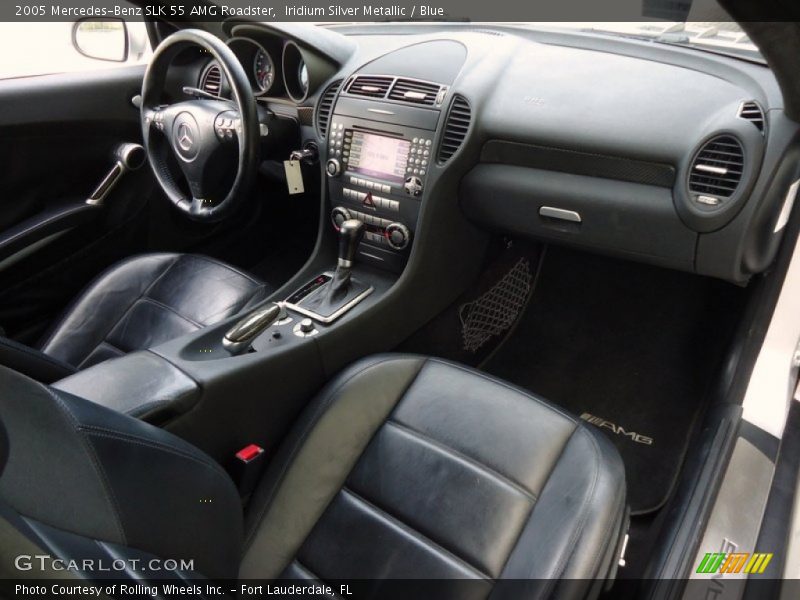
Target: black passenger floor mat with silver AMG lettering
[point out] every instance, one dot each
(630, 348)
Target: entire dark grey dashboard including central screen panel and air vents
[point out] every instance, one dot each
(658, 154)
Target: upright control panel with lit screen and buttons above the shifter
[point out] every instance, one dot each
(377, 171)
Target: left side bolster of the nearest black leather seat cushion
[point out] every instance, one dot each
(313, 464)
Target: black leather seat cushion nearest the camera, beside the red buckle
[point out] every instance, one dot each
(411, 467)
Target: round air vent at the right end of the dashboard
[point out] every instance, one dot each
(716, 171)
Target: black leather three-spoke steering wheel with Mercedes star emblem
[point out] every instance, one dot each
(200, 134)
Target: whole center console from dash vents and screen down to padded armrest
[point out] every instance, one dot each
(245, 380)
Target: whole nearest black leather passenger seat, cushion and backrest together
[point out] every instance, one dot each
(403, 467)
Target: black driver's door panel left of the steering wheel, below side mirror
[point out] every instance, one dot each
(58, 136)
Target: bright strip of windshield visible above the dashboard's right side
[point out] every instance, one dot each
(724, 37)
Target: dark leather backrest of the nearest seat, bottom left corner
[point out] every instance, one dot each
(76, 471)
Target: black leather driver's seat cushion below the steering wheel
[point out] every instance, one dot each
(148, 300)
